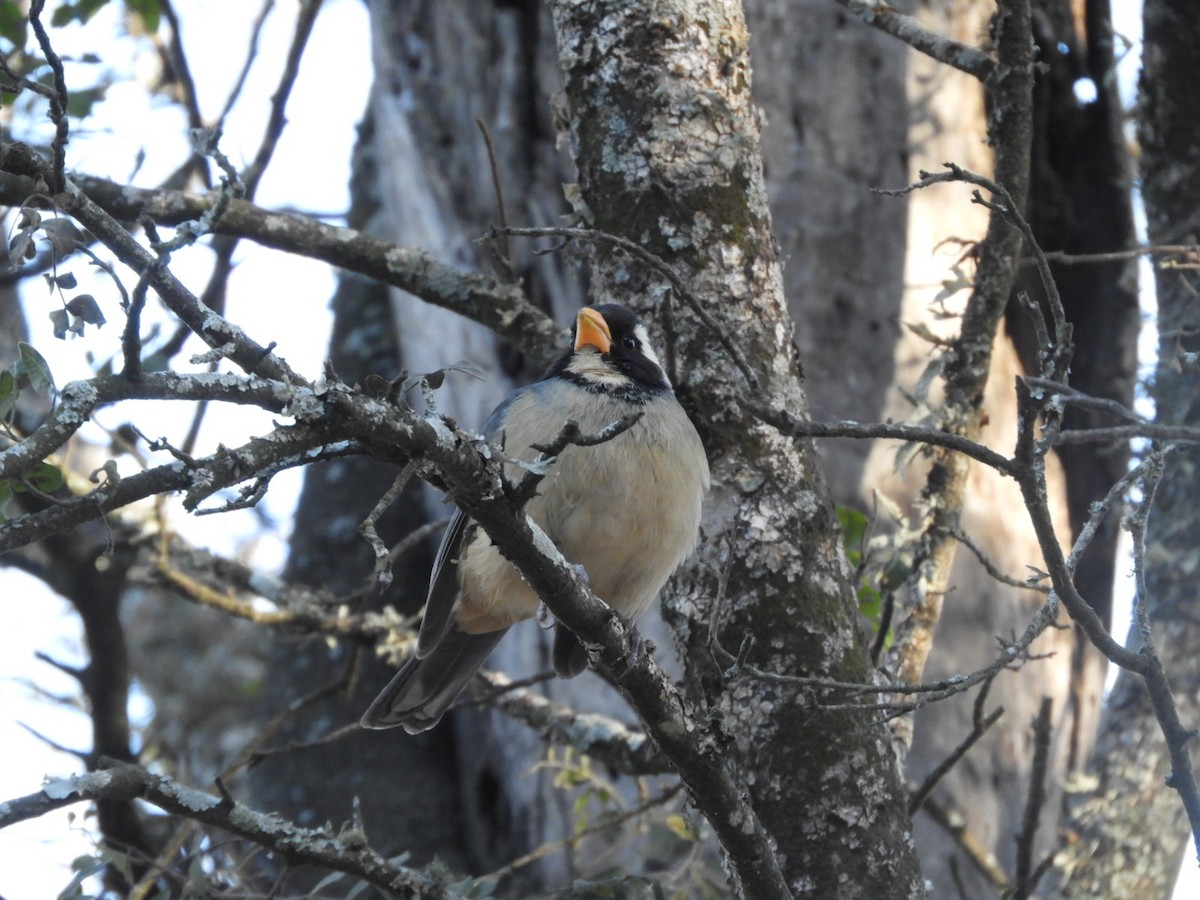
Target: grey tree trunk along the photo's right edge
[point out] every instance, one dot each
(1131, 831)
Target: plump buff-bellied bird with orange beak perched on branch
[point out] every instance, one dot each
(627, 511)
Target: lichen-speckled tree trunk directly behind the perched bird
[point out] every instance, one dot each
(667, 140)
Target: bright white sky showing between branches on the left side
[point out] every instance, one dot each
(268, 292)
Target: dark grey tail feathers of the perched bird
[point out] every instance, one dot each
(422, 692)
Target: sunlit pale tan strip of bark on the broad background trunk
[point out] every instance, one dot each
(949, 123)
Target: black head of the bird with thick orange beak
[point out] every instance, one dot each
(611, 353)
